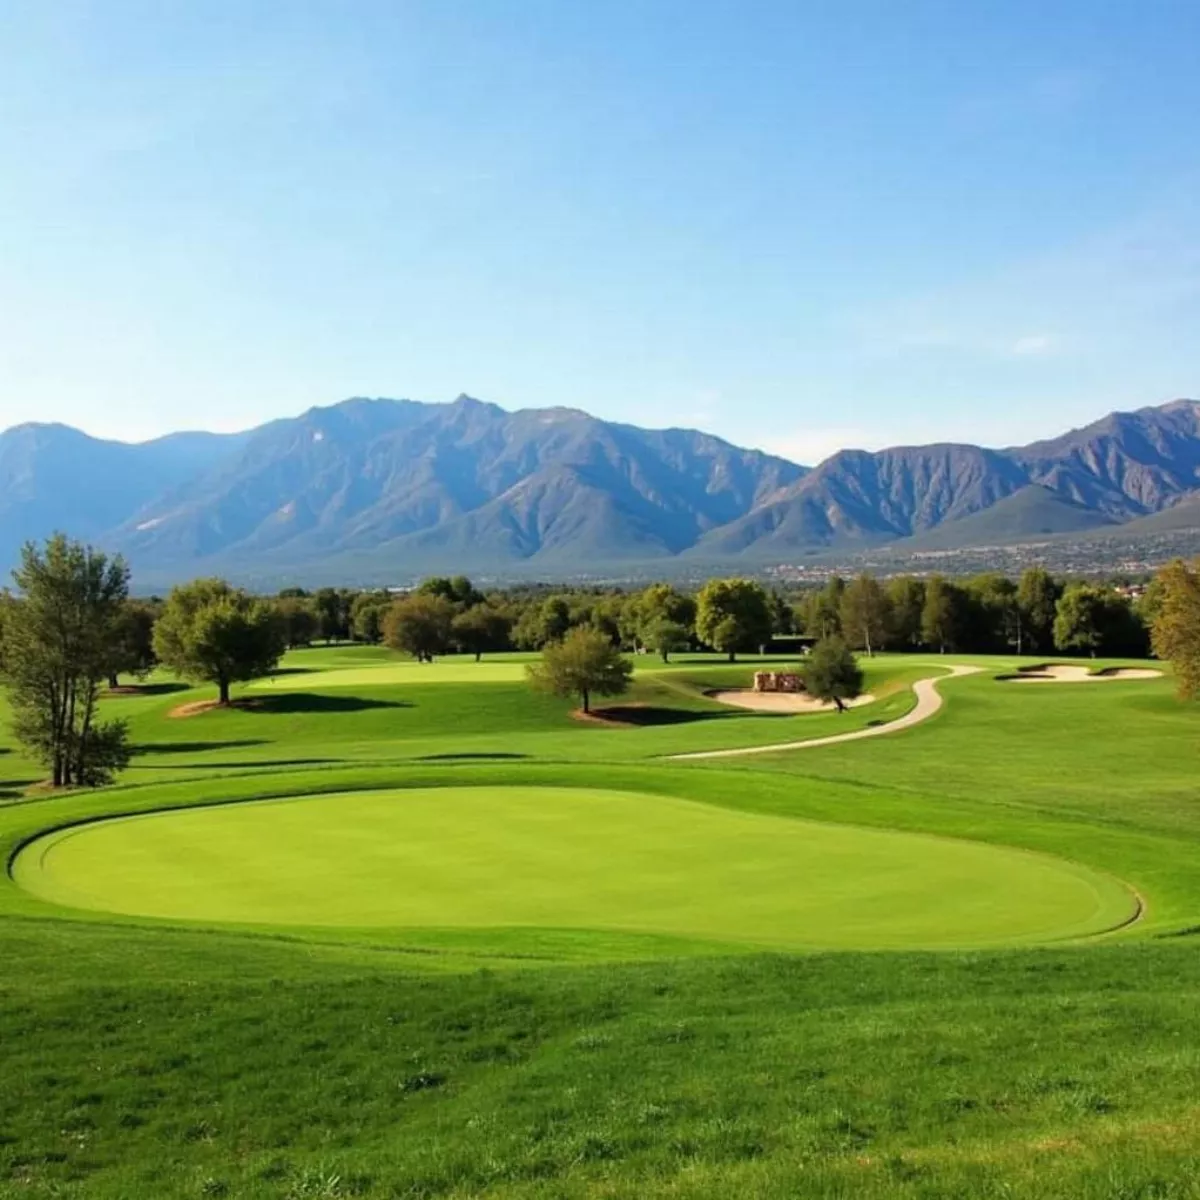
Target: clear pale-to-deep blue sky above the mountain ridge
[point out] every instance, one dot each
(801, 226)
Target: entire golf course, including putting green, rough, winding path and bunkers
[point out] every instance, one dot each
(387, 928)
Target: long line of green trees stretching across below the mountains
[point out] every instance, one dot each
(69, 627)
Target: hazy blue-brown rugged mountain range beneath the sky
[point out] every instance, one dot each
(382, 490)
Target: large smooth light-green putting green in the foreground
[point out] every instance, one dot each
(557, 857)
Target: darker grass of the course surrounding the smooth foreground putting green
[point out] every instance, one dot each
(149, 1059)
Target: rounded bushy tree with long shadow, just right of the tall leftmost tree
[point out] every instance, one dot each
(213, 633)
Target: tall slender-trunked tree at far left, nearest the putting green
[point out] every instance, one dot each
(58, 649)
